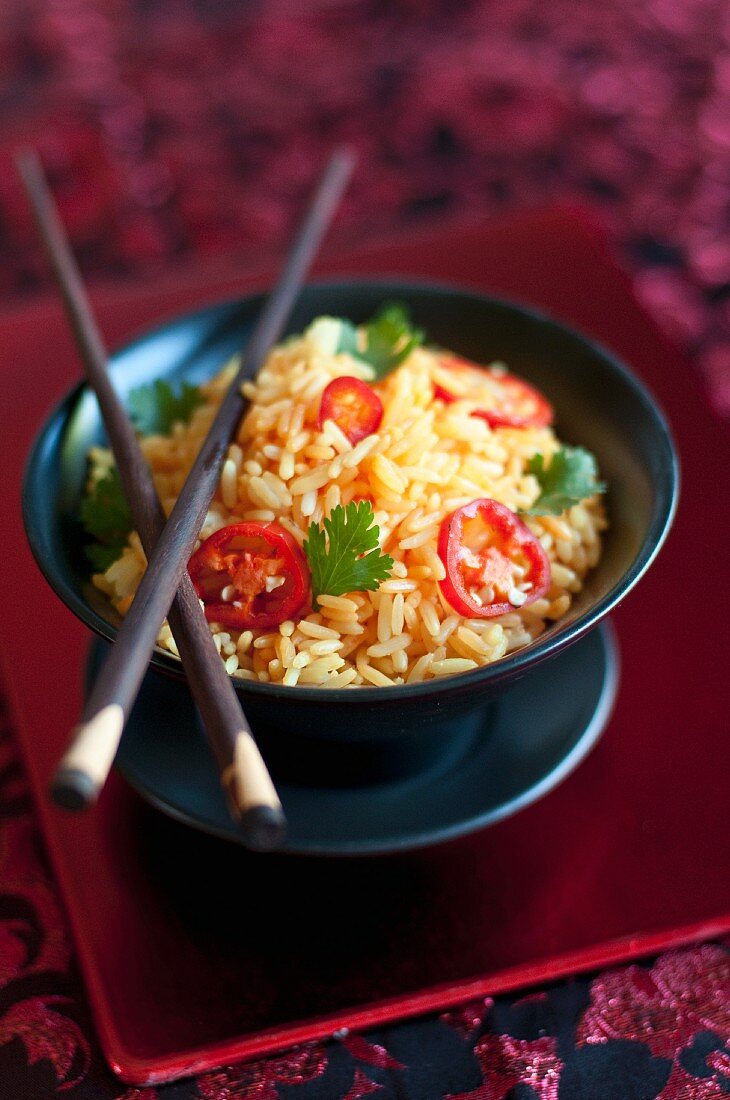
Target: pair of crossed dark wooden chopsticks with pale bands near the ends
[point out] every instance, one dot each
(165, 587)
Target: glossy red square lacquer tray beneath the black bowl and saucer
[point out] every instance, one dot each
(196, 953)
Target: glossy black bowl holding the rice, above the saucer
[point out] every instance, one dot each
(599, 404)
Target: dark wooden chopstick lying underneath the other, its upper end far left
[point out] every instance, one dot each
(246, 780)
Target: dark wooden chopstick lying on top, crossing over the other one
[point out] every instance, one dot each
(87, 762)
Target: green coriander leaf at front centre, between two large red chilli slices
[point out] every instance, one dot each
(348, 558)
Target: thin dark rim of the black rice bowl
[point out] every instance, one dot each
(507, 668)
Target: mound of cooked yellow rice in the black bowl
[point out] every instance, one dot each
(426, 460)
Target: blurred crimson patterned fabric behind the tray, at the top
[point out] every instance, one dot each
(182, 129)
